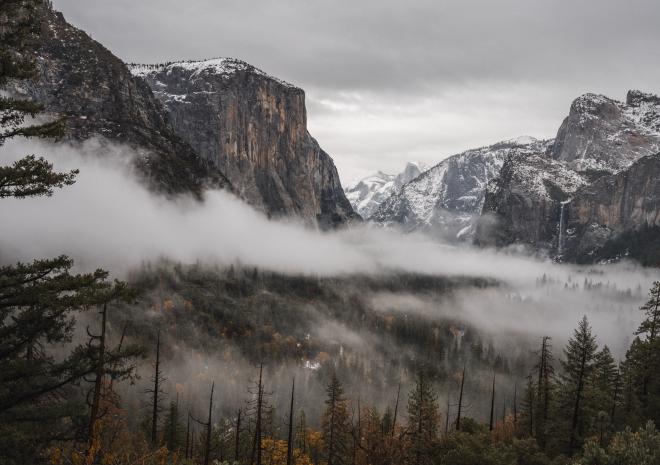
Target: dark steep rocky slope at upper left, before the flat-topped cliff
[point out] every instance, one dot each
(94, 90)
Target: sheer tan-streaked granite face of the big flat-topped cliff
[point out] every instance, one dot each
(253, 128)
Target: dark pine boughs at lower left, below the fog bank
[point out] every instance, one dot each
(38, 400)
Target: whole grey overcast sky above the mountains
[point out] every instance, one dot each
(392, 81)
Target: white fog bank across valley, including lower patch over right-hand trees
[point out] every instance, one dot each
(109, 219)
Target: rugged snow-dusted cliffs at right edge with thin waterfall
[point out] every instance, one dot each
(590, 186)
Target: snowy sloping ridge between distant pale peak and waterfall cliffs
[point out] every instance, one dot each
(446, 199)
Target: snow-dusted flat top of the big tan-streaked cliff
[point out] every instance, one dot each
(215, 66)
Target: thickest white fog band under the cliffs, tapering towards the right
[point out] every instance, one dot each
(108, 218)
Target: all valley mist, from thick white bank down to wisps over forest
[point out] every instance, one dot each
(462, 299)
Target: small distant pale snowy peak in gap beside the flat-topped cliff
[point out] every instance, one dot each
(367, 195)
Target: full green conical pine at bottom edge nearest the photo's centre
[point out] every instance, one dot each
(335, 424)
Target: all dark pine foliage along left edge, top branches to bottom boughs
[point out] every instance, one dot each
(38, 300)
